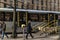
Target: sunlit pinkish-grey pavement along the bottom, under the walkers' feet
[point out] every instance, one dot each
(36, 37)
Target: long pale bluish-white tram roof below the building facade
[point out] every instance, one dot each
(27, 10)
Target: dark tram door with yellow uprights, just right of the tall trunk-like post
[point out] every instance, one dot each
(21, 18)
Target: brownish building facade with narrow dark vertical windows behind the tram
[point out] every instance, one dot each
(50, 5)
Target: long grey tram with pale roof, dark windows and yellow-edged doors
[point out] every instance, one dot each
(23, 15)
